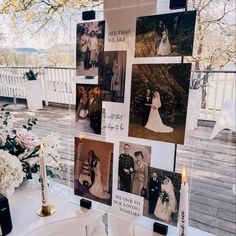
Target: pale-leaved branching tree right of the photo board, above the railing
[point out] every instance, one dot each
(215, 33)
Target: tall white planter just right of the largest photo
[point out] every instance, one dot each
(194, 106)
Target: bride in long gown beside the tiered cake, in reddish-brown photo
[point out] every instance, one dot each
(97, 189)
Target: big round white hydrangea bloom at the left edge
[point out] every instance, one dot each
(11, 173)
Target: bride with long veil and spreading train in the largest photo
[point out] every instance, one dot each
(154, 122)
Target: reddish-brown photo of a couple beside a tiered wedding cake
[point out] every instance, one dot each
(93, 170)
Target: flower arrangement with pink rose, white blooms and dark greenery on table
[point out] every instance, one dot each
(22, 145)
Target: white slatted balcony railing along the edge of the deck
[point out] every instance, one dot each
(59, 86)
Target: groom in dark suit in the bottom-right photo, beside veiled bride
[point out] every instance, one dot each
(154, 191)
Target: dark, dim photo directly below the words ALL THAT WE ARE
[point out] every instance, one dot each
(112, 75)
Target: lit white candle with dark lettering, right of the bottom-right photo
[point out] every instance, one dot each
(184, 205)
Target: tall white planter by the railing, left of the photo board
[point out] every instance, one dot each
(34, 94)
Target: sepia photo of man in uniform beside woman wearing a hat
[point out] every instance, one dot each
(134, 160)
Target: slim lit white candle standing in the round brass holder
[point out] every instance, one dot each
(43, 177)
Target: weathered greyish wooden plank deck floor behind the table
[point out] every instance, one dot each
(211, 164)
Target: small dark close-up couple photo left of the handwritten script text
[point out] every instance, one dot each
(88, 111)
